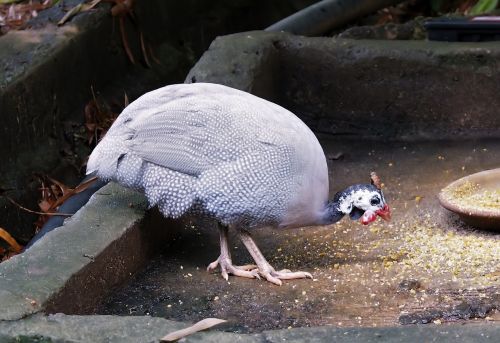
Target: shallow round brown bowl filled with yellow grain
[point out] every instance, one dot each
(459, 196)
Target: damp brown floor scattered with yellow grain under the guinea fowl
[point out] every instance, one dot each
(422, 267)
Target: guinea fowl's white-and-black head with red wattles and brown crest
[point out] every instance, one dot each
(364, 202)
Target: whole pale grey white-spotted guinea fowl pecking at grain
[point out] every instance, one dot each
(216, 151)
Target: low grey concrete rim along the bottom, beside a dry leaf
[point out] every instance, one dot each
(101, 328)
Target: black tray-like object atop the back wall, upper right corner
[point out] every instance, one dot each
(476, 29)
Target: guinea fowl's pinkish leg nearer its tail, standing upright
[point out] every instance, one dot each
(226, 265)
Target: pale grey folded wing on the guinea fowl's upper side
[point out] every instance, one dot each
(195, 131)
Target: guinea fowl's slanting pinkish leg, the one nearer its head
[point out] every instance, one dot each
(265, 269)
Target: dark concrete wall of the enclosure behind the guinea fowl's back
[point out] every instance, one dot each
(384, 89)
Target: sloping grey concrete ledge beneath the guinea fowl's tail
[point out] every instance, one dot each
(74, 266)
